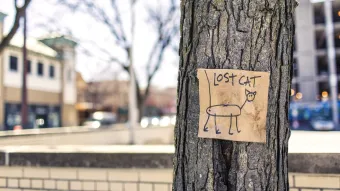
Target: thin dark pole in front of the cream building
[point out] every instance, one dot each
(24, 107)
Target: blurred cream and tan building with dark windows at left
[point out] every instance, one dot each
(51, 87)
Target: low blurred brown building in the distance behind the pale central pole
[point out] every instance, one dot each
(112, 96)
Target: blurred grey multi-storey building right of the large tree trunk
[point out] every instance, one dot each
(311, 75)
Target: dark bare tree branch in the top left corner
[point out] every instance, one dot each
(20, 11)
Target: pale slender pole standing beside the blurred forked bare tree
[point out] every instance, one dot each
(132, 90)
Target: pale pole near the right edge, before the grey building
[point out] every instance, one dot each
(333, 81)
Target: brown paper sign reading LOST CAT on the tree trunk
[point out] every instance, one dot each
(233, 104)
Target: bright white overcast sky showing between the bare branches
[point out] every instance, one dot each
(91, 34)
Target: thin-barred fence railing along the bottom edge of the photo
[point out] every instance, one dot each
(48, 184)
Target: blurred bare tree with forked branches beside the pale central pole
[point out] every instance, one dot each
(163, 21)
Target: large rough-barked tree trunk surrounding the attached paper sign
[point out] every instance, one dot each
(234, 34)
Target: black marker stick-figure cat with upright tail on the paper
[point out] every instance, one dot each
(226, 110)
